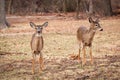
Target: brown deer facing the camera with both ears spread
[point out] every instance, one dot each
(37, 44)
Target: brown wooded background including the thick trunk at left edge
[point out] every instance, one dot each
(34, 7)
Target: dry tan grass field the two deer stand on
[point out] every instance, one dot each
(60, 42)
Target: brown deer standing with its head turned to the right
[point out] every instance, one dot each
(85, 37)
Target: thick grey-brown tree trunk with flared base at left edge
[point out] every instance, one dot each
(3, 22)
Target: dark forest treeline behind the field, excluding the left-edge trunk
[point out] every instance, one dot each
(26, 7)
